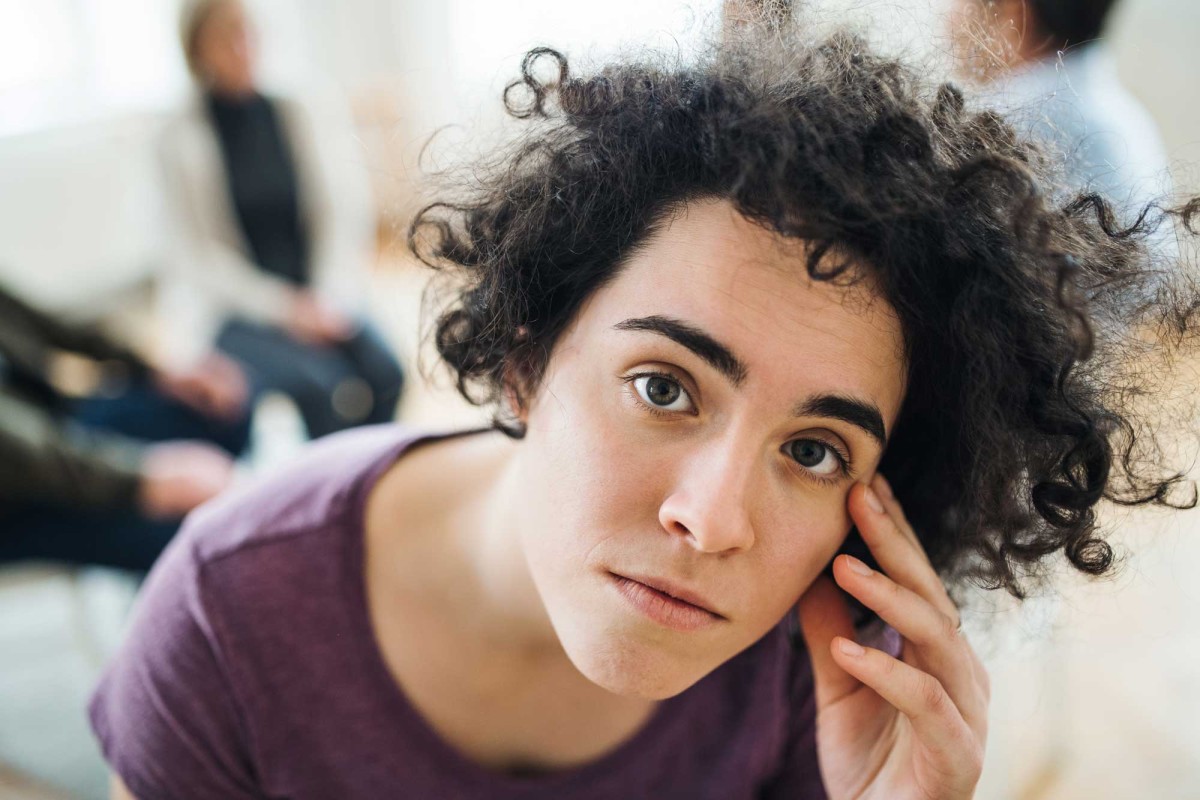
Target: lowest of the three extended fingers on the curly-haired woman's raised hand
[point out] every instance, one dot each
(956, 749)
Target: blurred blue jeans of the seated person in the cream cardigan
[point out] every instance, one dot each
(337, 387)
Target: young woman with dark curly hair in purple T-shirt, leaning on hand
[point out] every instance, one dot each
(713, 306)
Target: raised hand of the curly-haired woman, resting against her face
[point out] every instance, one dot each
(895, 729)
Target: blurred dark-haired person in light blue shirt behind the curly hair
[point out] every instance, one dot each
(1048, 65)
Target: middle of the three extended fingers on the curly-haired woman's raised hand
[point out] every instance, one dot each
(939, 647)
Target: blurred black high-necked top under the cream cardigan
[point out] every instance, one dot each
(262, 181)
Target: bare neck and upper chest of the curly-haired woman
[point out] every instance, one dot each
(460, 623)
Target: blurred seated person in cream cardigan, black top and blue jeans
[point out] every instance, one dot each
(273, 234)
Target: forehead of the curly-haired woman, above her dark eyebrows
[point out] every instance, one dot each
(712, 269)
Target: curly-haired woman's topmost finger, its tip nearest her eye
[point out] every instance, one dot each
(897, 550)
